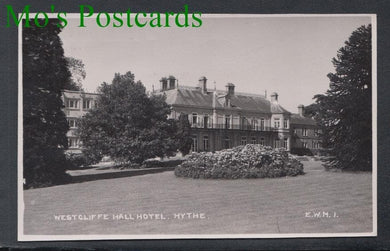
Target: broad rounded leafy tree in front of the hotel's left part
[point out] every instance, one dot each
(127, 125)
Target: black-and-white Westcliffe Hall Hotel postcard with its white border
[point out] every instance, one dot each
(197, 126)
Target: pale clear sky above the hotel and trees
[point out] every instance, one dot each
(289, 55)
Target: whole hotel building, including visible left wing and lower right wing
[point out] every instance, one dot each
(218, 119)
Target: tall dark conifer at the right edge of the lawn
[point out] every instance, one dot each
(344, 111)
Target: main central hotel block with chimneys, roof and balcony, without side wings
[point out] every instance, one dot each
(224, 119)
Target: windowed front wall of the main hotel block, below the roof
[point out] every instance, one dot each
(242, 126)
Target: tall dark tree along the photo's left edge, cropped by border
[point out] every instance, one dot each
(45, 75)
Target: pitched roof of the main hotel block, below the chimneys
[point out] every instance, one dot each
(187, 96)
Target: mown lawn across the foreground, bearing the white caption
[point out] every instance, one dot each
(247, 206)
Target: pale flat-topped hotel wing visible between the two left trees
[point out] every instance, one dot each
(77, 104)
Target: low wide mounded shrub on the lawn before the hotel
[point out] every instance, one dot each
(249, 161)
